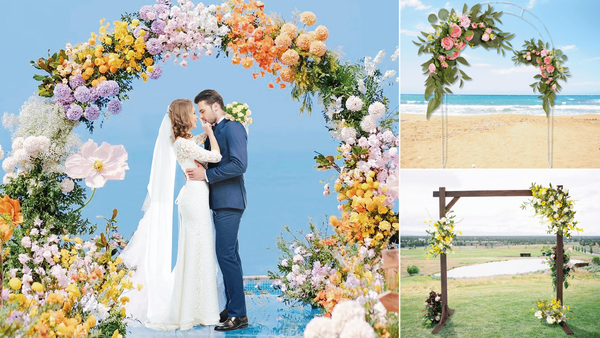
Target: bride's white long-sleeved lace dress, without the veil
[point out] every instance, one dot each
(195, 298)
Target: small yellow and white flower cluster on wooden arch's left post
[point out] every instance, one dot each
(442, 235)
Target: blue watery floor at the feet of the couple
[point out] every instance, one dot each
(267, 318)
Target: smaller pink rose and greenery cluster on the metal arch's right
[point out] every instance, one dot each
(550, 63)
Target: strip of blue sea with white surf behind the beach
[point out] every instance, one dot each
(565, 105)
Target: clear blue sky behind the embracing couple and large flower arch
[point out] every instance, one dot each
(282, 186)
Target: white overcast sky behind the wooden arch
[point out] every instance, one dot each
(495, 216)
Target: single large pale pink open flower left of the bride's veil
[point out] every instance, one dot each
(98, 164)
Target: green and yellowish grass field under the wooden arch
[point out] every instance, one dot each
(498, 306)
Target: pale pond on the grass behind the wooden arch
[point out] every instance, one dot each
(510, 267)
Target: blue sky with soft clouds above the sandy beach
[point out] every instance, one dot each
(569, 23)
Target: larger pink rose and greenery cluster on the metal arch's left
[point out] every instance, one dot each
(454, 31)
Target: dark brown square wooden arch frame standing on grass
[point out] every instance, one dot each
(442, 194)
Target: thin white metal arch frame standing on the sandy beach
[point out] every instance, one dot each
(550, 118)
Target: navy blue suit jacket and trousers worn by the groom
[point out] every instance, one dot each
(228, 201)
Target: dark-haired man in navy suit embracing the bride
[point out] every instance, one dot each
(227, 201)
